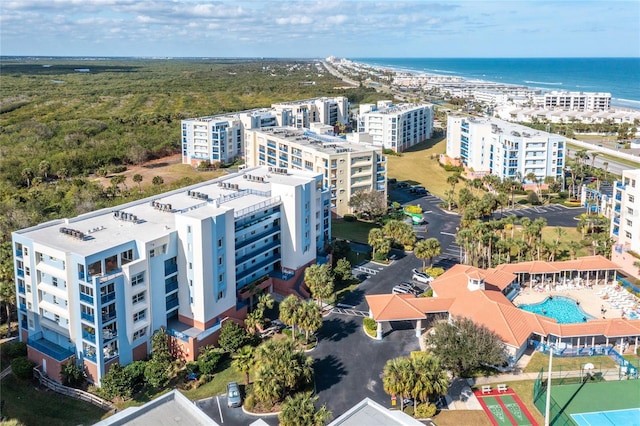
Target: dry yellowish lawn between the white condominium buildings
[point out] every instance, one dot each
(417, 166)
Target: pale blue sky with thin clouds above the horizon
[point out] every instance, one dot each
(343, 28)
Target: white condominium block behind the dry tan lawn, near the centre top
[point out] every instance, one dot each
(396, 127)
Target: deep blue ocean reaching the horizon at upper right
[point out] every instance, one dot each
(618, 76)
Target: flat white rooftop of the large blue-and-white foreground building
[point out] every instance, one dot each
(154, 217)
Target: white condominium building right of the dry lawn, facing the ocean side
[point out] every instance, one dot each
(507, 150)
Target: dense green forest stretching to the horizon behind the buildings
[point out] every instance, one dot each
(62, 120)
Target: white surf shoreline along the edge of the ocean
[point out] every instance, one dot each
(616, 102)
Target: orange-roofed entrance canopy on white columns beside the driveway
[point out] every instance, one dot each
(404, 307)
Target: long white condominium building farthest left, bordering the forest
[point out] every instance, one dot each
(219, 138)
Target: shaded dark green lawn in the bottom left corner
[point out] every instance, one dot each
(32, 407)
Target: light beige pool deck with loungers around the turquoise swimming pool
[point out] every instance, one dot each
(589, 300)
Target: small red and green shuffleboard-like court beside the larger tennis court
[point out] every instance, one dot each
(504, 408)
